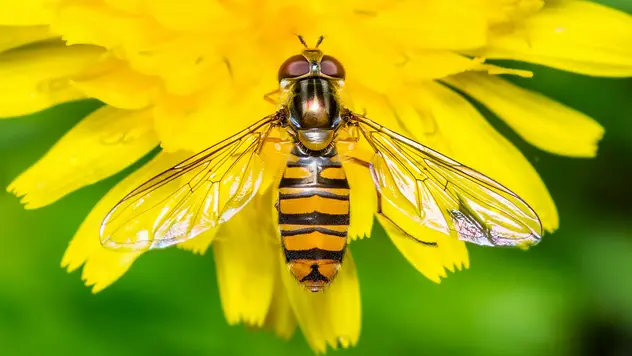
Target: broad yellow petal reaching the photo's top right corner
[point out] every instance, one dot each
(578, 36)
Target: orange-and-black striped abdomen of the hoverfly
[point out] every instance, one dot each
(314, 216)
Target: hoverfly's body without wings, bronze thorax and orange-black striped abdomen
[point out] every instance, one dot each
(313, 193)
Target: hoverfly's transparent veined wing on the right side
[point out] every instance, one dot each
(445, 195)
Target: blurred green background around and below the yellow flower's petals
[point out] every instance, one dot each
(571, 295)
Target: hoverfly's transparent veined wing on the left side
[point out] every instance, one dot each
(191, 197)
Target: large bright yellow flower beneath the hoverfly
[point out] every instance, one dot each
(185, 74)
